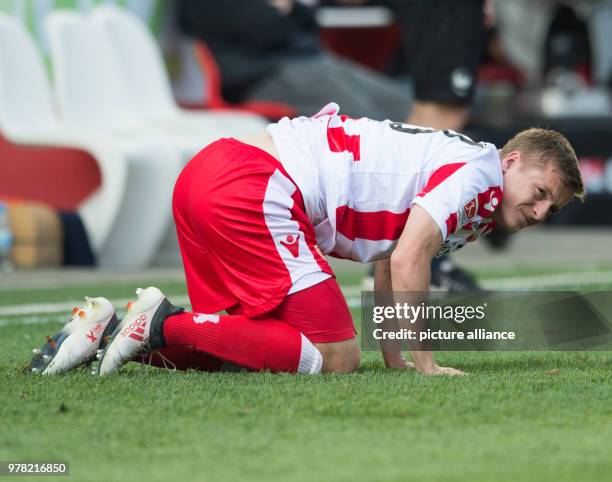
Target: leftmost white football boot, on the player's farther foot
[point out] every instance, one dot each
(87, 330)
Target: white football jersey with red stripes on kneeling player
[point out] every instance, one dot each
(359, 179)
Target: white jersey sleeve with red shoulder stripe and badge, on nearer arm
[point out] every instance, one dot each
(451, 195)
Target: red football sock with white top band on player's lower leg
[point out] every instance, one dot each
(258, 344)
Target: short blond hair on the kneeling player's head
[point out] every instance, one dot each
(544, 146)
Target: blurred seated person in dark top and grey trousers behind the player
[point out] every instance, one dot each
(270, 50)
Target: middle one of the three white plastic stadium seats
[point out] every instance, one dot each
(92, 98)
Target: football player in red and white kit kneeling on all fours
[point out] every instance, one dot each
(255, 219)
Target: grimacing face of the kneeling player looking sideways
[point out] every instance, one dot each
(531, 193)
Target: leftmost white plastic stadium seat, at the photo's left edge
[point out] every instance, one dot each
(28, 117)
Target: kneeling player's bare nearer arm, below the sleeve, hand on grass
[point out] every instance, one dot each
(410, 265)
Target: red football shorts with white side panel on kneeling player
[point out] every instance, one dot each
(245, 237)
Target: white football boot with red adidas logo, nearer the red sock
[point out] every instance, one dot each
(140, 330)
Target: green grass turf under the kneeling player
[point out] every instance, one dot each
(518, 416)
